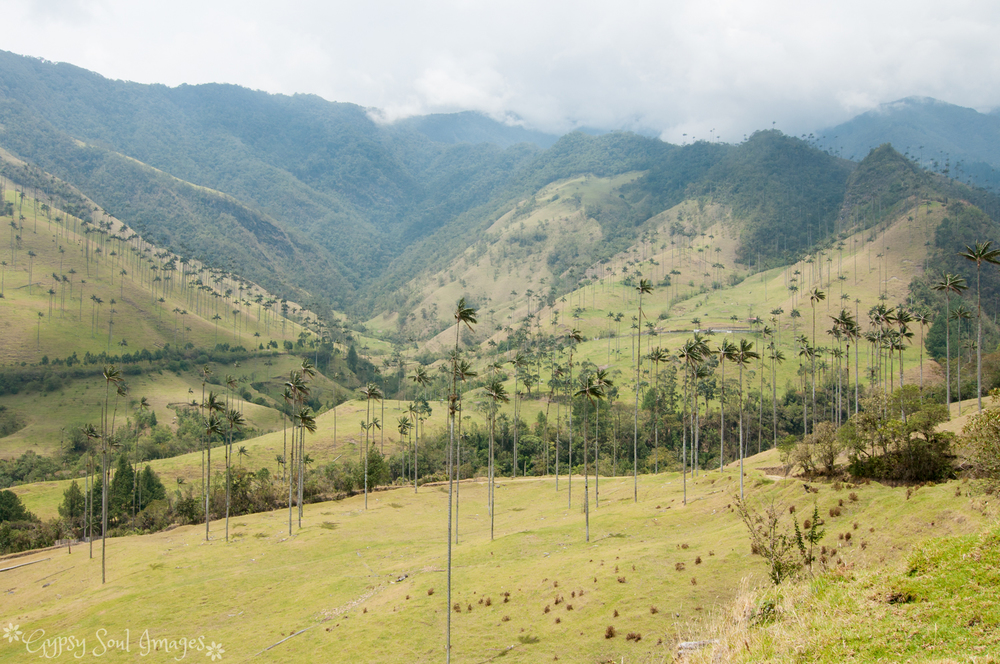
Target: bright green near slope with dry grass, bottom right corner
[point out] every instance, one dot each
(933, 605)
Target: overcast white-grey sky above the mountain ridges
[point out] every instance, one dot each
(677, 68)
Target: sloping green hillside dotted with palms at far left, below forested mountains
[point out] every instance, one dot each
(57, 265)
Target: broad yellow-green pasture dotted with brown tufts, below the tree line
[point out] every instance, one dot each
(655, 568)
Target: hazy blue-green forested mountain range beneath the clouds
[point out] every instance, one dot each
(319, 201)
